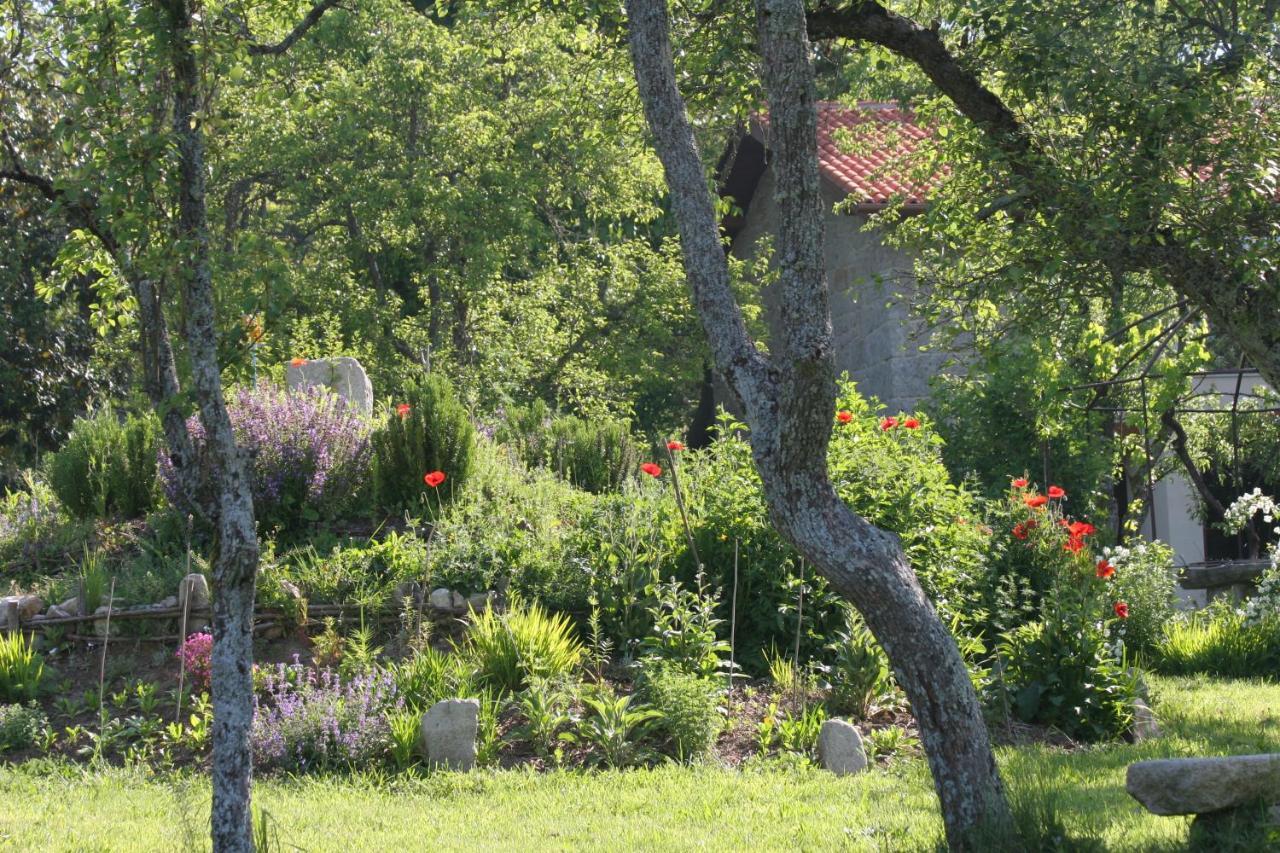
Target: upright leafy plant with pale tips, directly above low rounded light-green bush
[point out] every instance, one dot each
(684, 632)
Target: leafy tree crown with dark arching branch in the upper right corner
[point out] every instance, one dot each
(1119, 145)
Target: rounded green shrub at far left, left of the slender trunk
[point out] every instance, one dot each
(108, 467)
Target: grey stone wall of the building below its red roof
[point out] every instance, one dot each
(876, 339)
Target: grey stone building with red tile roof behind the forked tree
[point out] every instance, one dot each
(861, 157)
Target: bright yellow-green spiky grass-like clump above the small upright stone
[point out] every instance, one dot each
(525, 642)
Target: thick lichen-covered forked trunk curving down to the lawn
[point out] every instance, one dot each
(789, 399)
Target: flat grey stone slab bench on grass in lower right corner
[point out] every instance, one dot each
(1203, 786)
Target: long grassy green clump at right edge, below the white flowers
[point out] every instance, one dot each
(1220, 641)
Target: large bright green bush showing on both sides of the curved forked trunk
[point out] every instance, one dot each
(893, 477)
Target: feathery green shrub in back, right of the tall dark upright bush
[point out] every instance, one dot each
(596, 455)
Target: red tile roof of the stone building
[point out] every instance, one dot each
(865, 152)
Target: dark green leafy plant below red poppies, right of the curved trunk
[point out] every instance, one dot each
(1063, 676)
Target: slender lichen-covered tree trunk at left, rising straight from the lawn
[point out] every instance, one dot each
(236, 563)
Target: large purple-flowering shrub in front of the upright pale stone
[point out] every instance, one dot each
(310, 454)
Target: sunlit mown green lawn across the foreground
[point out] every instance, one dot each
(65, 809)
